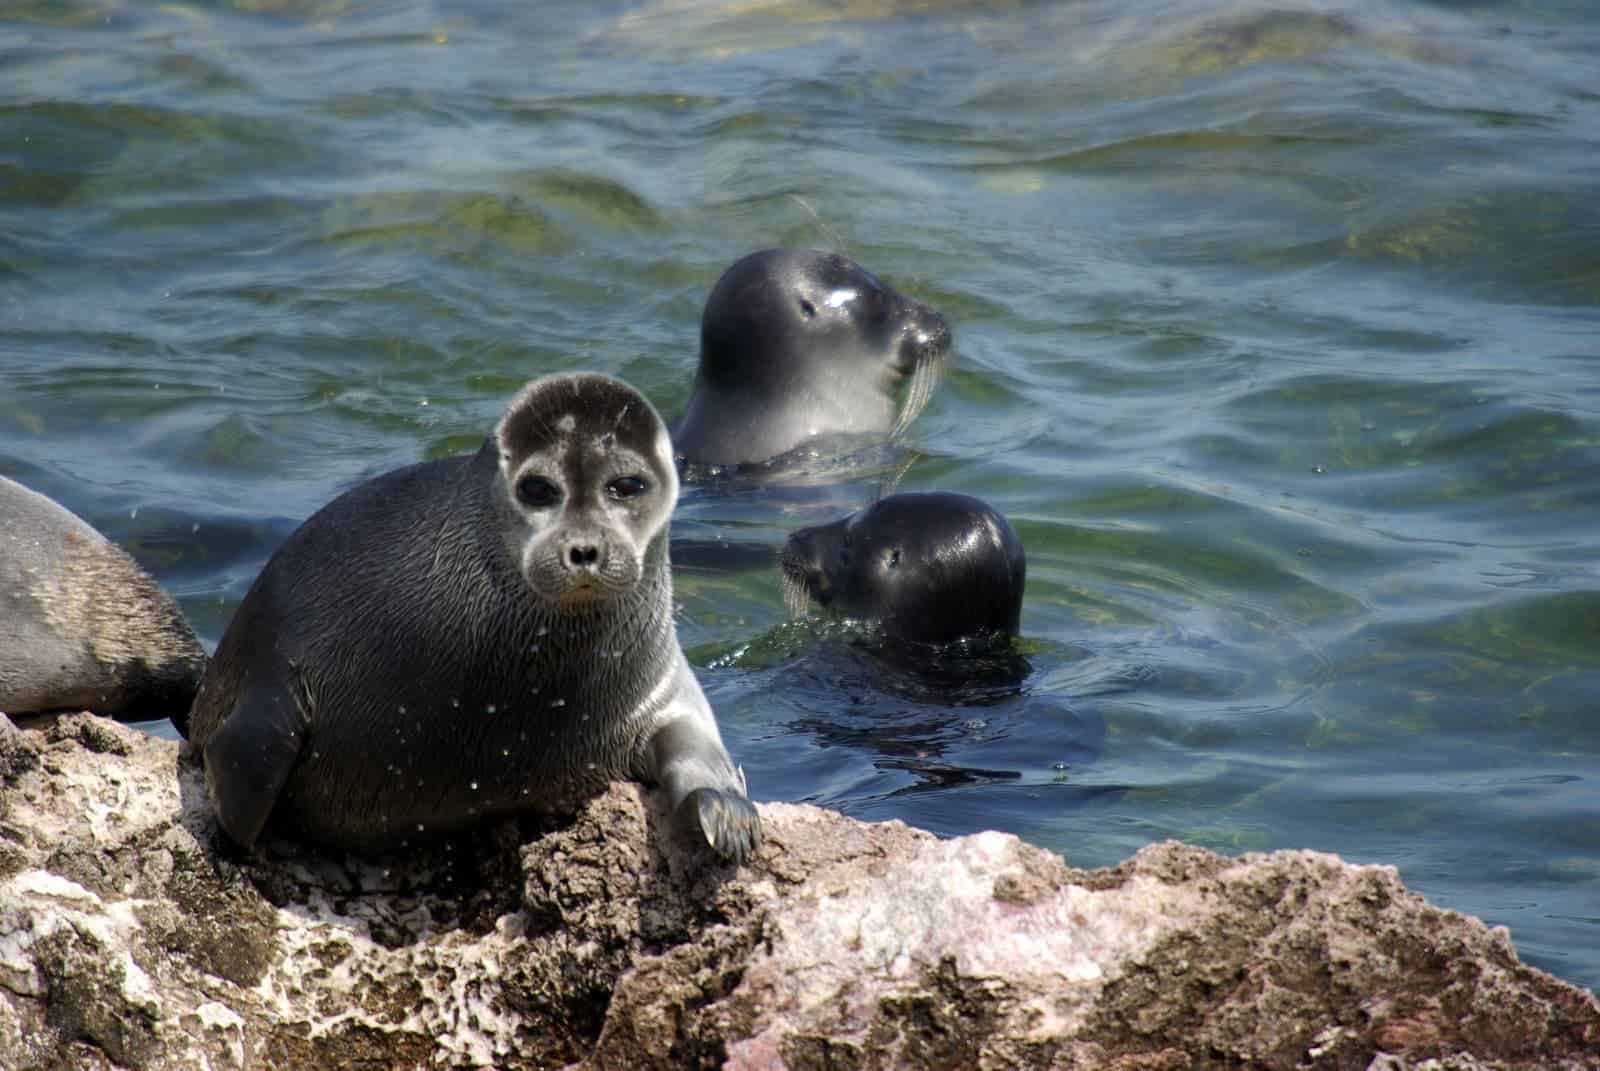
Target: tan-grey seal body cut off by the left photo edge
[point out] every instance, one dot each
(82, 627)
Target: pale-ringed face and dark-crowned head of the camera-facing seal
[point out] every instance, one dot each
(586, 463)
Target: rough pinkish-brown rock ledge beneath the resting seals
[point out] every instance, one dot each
(132, 936)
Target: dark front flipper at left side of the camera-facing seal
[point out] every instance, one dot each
(250, 758)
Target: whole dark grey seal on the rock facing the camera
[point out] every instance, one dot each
(473, 638)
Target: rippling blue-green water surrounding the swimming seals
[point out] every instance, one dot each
(1276, 339)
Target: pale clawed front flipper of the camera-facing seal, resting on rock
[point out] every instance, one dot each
(705, 788)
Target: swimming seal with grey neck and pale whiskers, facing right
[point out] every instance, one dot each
(802, 345)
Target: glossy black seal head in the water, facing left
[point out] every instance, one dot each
(927, 568)
